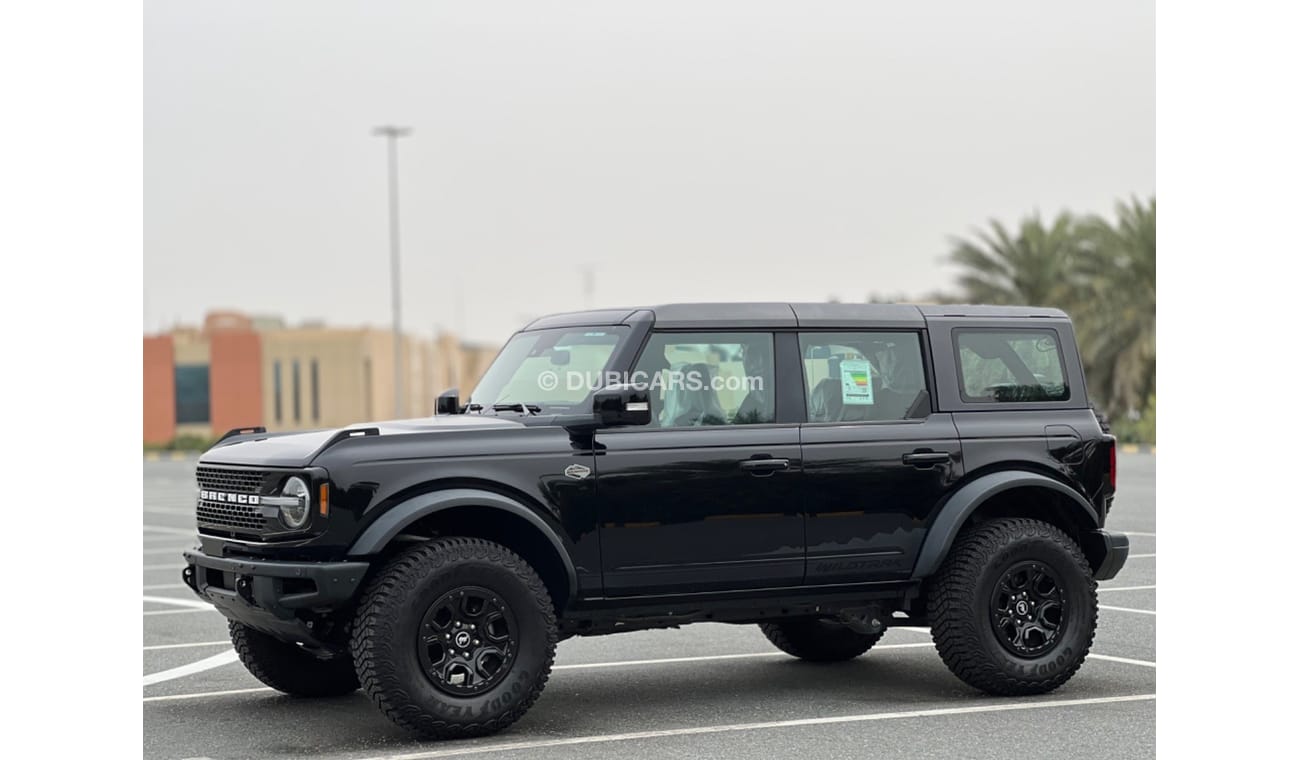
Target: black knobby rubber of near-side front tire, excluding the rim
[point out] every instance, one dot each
(389, 622)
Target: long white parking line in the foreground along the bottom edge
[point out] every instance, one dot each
(764, 726)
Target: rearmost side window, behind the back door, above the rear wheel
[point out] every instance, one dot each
(1011, 367)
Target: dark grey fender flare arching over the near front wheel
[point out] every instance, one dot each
(401, 516)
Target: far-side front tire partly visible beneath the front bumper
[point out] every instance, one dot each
(289, 668)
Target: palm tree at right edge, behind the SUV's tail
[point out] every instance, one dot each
(1117, 320)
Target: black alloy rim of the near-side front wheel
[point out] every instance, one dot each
(467, 641)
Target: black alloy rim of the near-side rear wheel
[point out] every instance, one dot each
(1029, 610)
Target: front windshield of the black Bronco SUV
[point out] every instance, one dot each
(552, 371)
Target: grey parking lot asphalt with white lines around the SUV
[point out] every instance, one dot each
(707, 690)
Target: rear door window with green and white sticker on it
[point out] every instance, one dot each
(864, 377)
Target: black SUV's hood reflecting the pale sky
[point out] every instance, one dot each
(296, 450)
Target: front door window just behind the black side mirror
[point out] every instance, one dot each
(709, 379)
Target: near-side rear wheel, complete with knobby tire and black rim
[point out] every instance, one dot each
(1013, 609)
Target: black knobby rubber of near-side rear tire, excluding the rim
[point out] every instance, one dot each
(959, 606)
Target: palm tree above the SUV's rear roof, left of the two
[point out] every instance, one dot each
(1033, 268)
